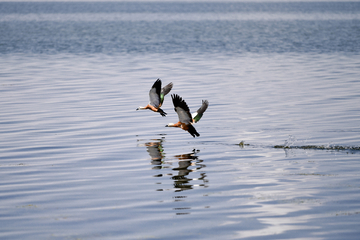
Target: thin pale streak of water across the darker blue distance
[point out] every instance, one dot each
(138, 17)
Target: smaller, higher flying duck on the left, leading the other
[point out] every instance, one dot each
(157, 95)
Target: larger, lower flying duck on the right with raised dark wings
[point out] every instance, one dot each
(186, 120)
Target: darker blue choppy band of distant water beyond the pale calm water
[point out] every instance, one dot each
(208, 27)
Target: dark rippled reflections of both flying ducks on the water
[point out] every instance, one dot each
(186, 171)
